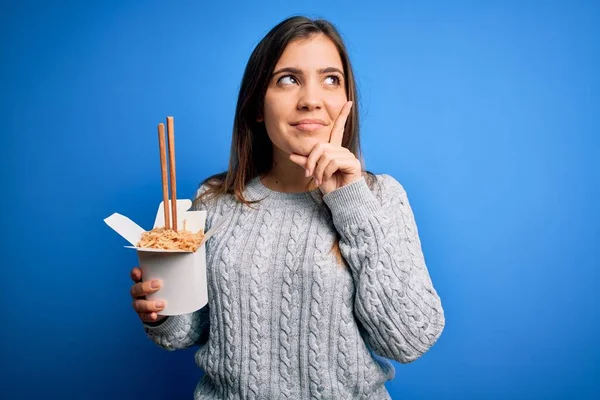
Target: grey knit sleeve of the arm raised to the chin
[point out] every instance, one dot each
(395, 301)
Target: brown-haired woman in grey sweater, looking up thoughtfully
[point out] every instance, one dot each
(319, 273)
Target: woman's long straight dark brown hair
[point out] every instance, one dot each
(251, 149)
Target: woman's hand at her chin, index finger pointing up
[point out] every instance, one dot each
(331, 165)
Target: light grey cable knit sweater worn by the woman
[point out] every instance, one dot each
(287, 317)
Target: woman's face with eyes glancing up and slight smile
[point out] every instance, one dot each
(305, 95)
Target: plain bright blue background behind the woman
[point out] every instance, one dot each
(487, 112)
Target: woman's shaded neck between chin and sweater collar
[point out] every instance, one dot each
(286, 176)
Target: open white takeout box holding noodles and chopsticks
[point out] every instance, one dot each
(183, 273)
